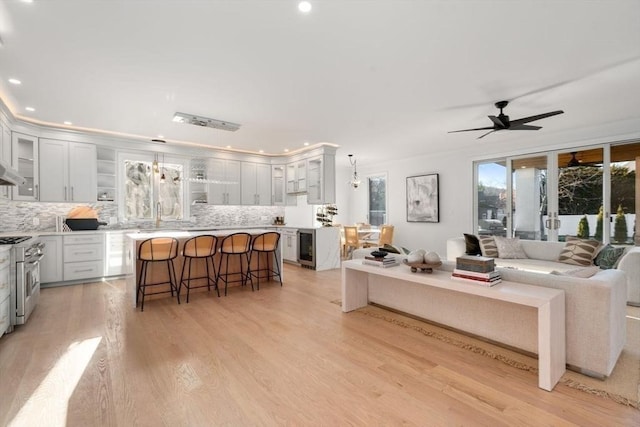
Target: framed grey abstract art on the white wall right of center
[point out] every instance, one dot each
(423, 198)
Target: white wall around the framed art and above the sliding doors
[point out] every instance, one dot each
(456, 182)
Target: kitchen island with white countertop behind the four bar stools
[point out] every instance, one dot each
(158, 273)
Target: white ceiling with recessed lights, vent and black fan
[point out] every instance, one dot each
(381, 79)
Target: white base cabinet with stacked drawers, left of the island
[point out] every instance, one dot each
(83, 256)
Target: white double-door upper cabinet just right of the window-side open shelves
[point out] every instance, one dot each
(224, 189)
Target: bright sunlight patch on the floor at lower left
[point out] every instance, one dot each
(49, 403)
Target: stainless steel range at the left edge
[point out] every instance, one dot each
(26, 254)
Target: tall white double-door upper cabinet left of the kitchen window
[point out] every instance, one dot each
(69, 172)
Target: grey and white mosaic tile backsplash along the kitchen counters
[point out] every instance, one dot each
(20, 216)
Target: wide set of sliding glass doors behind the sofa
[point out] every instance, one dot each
(591, 192)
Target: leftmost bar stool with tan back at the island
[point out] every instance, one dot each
(157, 250)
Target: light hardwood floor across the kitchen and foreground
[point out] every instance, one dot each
(278, 356)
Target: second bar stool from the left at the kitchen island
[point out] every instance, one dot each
(199, 248)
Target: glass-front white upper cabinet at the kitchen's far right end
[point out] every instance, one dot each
(321, 182)
